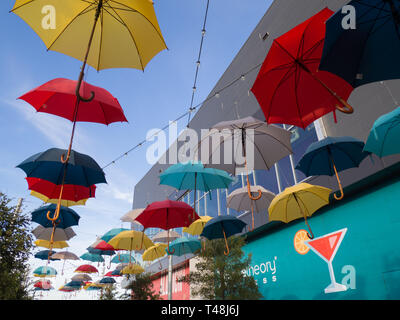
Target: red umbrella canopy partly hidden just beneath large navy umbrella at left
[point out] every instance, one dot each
(52, 191)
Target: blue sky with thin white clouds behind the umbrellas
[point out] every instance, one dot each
(150, 99)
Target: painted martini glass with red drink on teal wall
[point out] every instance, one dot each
(326, 247)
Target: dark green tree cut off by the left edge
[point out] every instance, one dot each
(15, 245)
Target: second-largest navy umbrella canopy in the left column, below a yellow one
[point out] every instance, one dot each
(66, 219)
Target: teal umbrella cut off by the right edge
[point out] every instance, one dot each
(383, 140)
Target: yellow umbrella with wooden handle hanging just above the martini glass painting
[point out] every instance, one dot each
(299, 201)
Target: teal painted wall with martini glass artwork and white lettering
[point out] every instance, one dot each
(370, 251)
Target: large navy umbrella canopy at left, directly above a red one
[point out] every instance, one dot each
(47, 165)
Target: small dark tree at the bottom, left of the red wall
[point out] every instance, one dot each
(141, 287)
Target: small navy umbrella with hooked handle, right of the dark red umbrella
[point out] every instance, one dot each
(222, 227)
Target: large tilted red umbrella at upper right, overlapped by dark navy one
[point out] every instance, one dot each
(289, 87)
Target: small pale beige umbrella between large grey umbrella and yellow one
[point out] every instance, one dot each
(240, 201)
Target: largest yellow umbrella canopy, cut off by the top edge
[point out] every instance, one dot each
(127, 37)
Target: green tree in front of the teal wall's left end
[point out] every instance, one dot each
(220, 277)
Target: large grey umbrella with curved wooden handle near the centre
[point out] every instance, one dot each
(268, 143)
